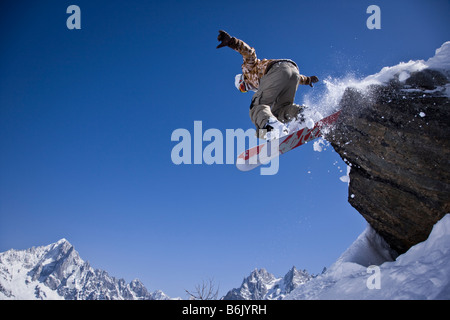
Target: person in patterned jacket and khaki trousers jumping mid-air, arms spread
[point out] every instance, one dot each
(275, 83)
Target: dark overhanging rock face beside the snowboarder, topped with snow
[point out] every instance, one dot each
(396, 138)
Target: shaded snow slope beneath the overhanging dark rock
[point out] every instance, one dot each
(423, 272)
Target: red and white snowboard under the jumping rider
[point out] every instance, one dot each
(264, 153)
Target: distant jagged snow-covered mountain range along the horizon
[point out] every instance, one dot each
(57, 272)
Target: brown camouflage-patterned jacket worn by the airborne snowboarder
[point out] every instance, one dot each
(253, 68)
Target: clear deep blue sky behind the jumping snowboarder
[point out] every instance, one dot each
(86, 118)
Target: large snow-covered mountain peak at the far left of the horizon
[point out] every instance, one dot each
(56, 271)
